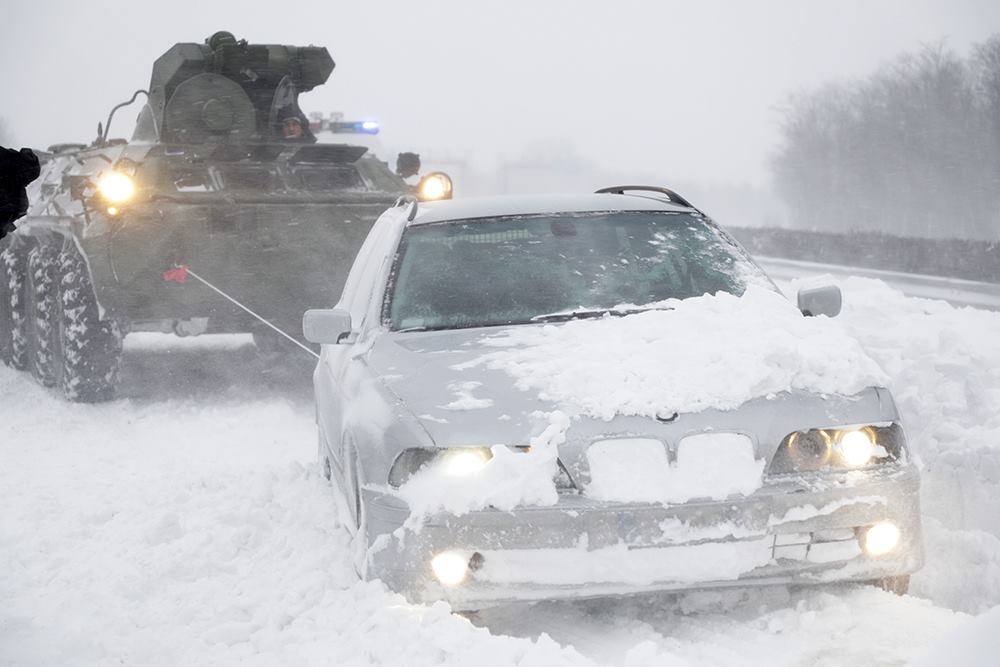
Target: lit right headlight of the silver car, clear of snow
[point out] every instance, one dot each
(843, 448)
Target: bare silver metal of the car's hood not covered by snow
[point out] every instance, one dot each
(461, 401)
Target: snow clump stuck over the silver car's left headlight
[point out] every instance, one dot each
(510, 478)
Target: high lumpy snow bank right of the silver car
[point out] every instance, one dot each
(943, 365)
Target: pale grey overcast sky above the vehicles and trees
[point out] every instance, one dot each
(689, 91)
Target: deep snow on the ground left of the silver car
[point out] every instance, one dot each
(189, 532)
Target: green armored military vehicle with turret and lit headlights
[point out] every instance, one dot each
(222, 177)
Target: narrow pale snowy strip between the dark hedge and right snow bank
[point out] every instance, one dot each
(953, 290)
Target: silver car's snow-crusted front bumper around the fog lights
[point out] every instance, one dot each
(788, 532)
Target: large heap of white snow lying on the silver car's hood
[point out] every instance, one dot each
(707, 352)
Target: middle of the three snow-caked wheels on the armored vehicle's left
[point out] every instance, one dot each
(41, 292)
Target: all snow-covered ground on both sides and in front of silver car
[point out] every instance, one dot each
(188, 524)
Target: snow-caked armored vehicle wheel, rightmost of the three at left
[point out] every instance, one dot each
(89, 348)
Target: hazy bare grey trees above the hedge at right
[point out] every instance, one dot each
(911, 150)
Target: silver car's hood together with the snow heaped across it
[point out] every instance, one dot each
(712, 352)
